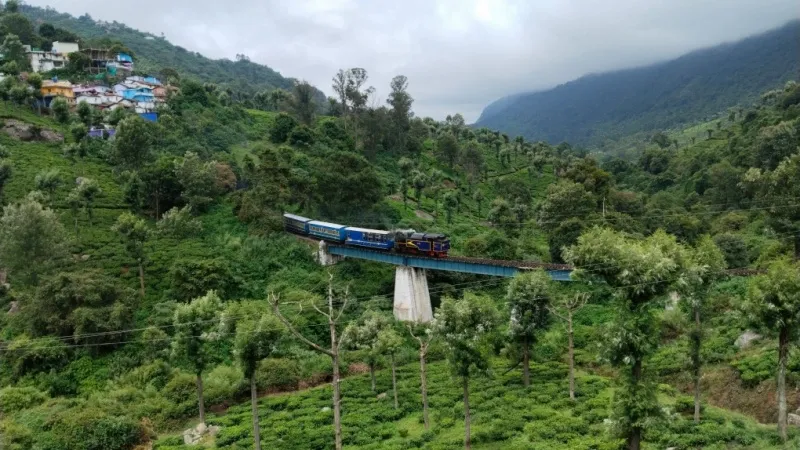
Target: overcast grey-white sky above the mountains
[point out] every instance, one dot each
(459, 55)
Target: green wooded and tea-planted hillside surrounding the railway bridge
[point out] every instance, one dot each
(151, 298)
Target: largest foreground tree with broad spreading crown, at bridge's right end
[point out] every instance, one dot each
(638, 271)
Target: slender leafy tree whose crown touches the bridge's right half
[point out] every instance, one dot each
(528, 297)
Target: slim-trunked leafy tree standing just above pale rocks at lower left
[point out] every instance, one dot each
(193, 324)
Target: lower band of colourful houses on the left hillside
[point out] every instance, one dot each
(140, 94)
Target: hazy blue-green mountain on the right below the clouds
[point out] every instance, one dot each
(687, 89)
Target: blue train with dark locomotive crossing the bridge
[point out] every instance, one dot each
(401, 241)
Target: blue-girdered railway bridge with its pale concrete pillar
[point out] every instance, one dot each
(412, 301)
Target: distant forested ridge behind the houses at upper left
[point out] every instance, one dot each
(155, 52)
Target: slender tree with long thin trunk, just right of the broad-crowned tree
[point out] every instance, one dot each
(704, 265)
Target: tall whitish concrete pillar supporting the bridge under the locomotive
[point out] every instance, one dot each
(412, 301)
